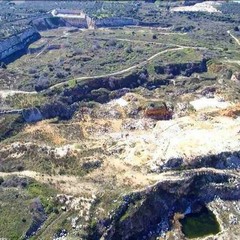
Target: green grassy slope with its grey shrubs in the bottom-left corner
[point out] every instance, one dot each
(20, 207)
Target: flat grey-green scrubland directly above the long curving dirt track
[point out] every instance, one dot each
(82, 55)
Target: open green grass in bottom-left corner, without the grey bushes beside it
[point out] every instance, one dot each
(16, 216)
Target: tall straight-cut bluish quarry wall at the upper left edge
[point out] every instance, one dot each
(16, 45)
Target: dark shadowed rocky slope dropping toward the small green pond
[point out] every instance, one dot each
(148, 214)
